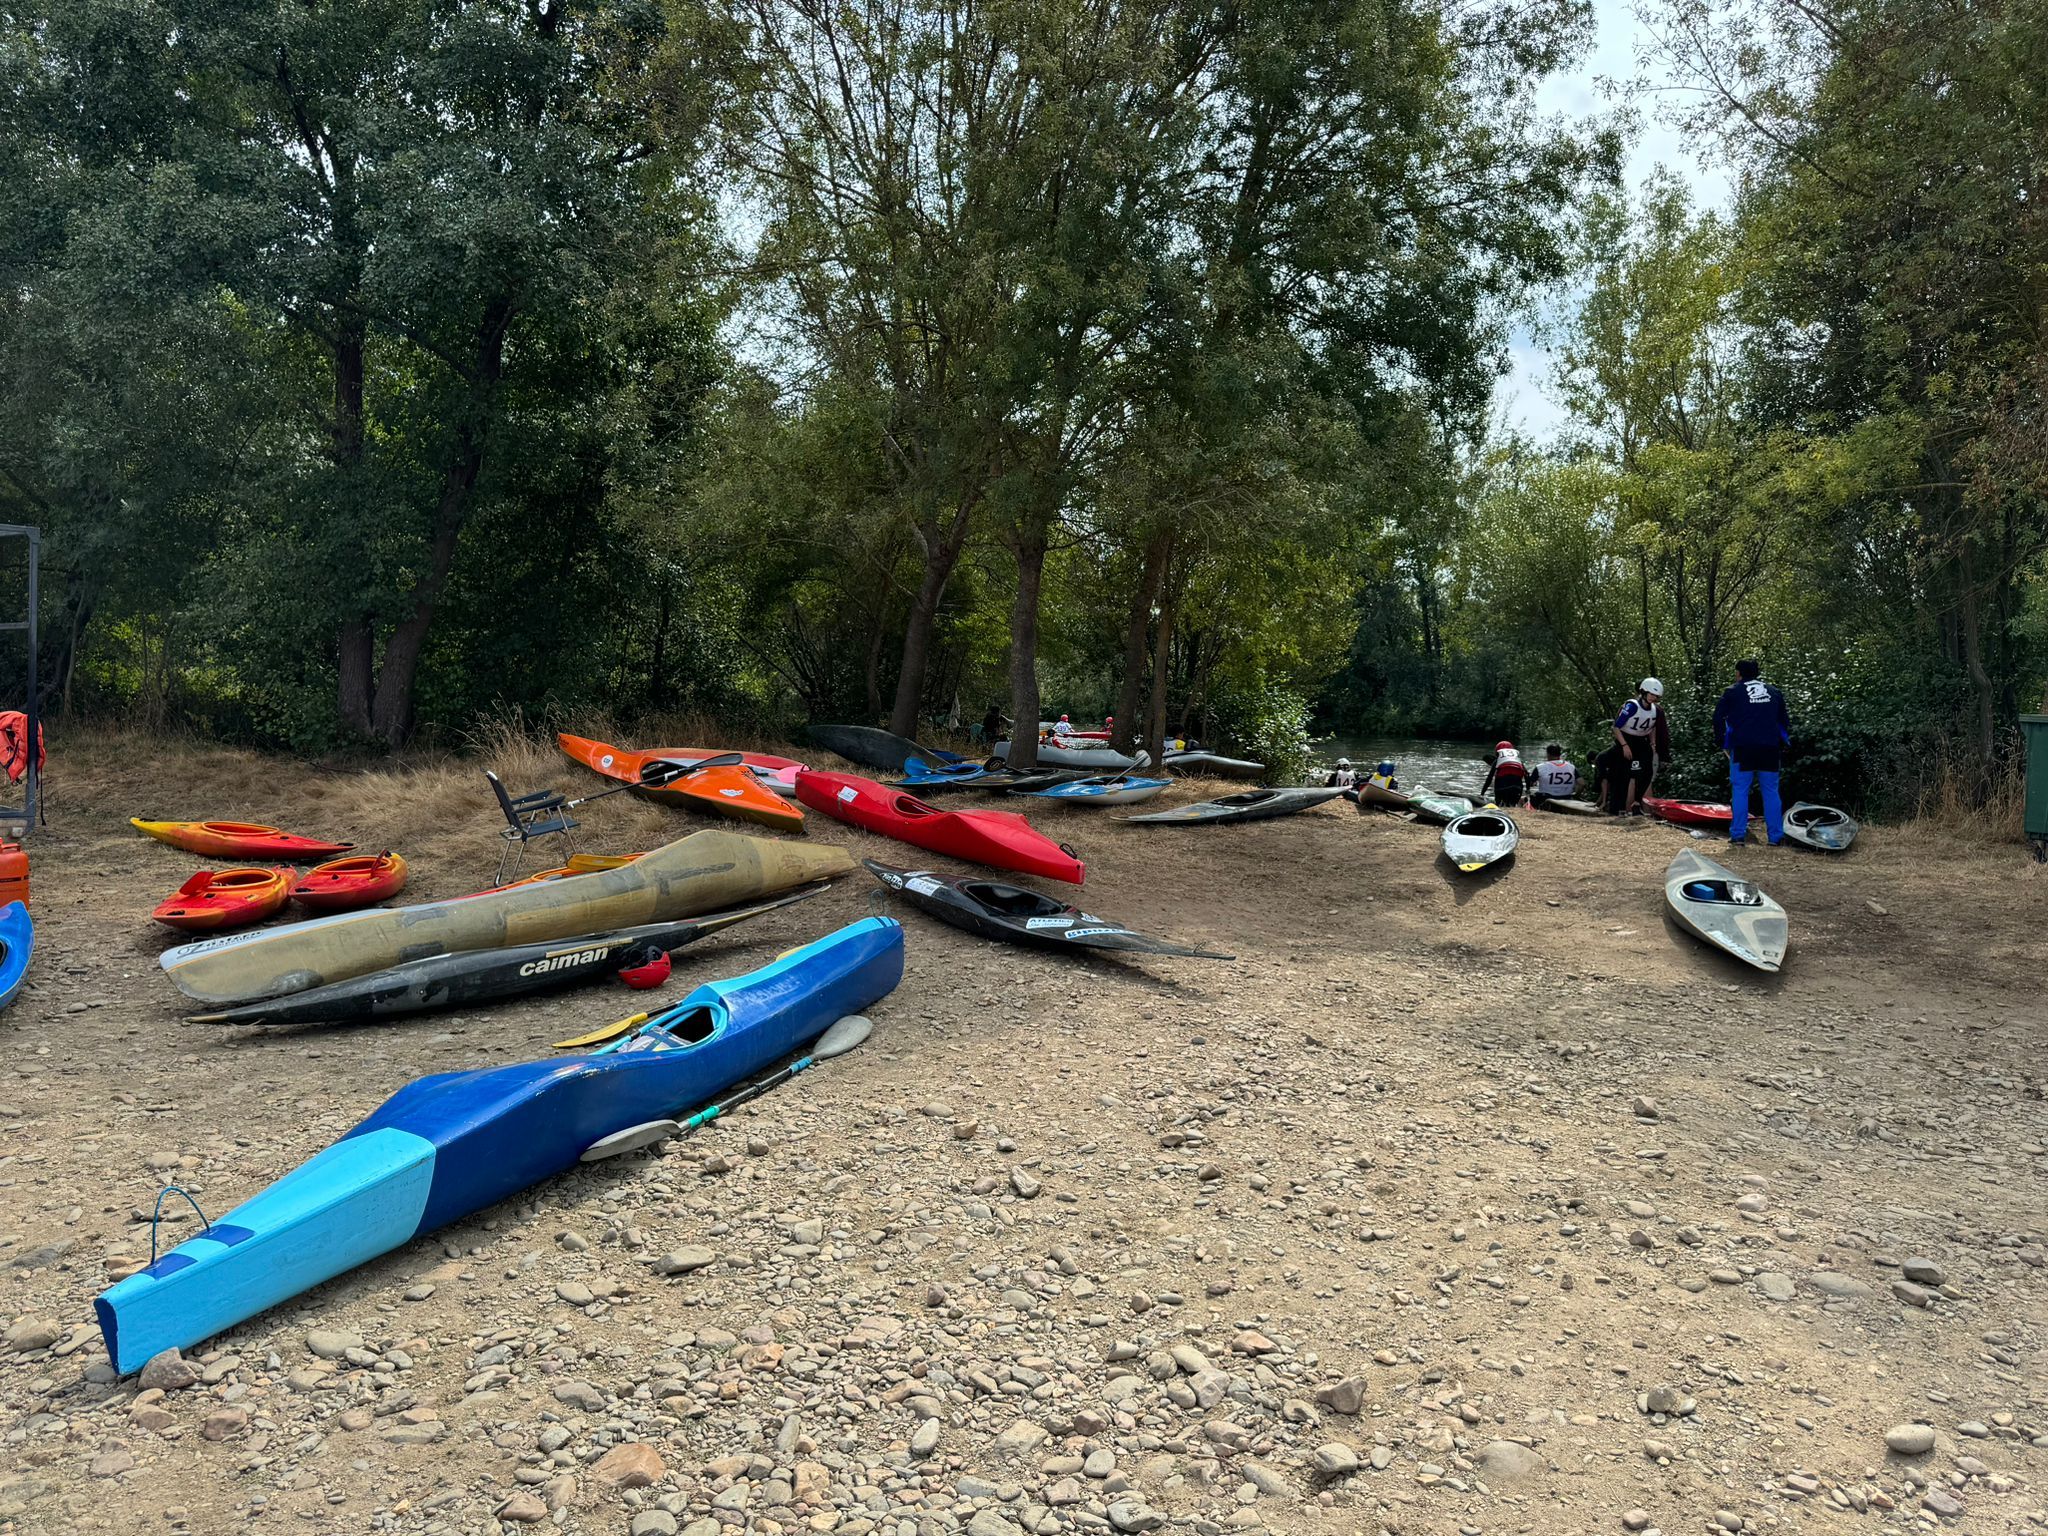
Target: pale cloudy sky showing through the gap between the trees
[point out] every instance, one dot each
(1523, 398)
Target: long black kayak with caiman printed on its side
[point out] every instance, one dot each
(488, 976)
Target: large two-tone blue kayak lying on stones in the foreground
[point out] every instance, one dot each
(454, 1144)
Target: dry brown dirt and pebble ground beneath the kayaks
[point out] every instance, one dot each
(1451, 1205)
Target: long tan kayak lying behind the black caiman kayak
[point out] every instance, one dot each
(699, 873)
